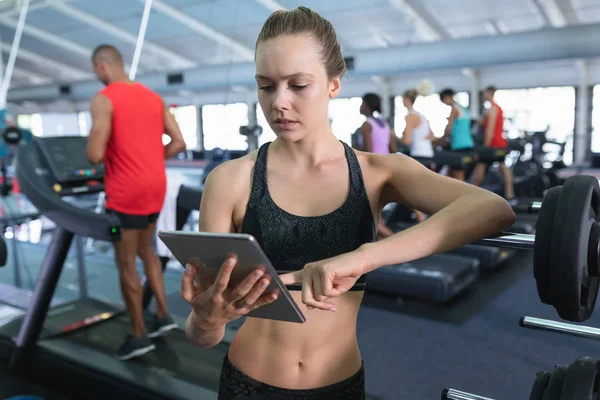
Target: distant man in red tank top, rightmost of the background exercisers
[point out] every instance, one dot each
(493, 131)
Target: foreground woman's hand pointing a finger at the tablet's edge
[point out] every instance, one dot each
(328, 278)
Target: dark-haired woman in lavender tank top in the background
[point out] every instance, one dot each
(376, 136)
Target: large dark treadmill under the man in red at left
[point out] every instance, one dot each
(72, 345)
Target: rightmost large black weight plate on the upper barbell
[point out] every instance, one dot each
(574, 289)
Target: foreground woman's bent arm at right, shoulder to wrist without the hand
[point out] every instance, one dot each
(460, 213)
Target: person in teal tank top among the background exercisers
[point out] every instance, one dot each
(458, 129)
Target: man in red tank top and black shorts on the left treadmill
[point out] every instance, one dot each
(128, 122)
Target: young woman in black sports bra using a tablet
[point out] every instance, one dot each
(310, 200)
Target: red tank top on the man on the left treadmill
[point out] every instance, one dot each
(135, 174)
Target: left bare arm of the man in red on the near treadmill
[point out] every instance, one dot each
(101, 111)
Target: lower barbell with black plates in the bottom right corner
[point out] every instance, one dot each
(578, 381)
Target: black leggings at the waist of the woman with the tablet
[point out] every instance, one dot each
(235, 385)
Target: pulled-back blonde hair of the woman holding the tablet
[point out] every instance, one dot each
(304, 20)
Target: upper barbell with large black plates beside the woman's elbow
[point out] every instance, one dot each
(565, 247)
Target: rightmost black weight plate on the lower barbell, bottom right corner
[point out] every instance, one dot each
(582, 380)
